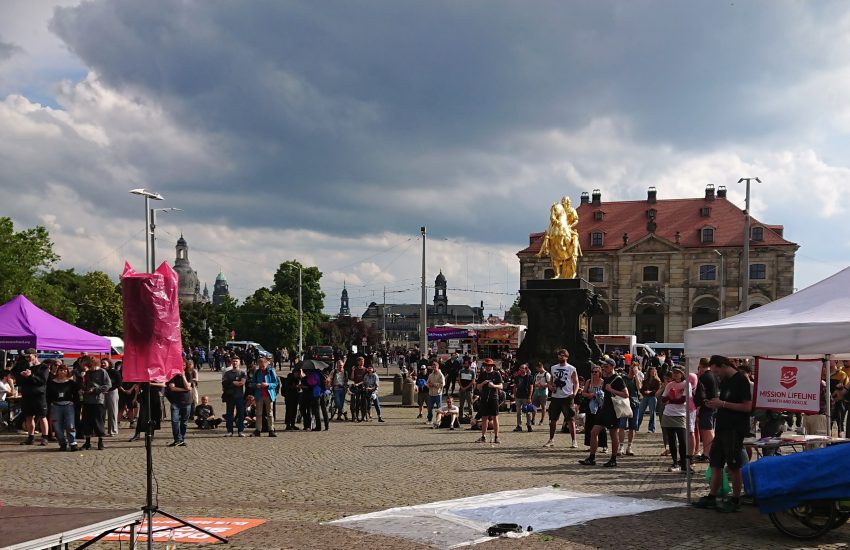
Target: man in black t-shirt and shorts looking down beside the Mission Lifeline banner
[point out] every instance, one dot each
(733, 406)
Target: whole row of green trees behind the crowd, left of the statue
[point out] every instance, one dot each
(92, 300)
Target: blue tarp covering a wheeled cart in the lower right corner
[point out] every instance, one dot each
(782, 482)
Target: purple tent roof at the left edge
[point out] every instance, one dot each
(23, 325)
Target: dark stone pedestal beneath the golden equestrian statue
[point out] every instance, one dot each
(554, 308)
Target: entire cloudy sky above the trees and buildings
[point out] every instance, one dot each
(331, 131)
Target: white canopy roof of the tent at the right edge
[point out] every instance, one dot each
(815, 320)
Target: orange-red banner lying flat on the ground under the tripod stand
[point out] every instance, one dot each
(166, 529)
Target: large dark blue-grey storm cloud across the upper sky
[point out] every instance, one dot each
(330, 109)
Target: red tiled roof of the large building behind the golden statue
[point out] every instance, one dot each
(672, 216)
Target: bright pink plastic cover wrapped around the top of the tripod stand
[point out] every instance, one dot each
(153, 346)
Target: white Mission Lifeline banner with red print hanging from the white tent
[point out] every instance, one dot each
(792, 385)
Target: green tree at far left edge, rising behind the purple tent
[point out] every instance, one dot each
(24, 255)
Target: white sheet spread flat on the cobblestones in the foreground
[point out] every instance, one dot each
(464, 521)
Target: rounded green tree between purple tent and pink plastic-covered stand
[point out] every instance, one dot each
(99, 303)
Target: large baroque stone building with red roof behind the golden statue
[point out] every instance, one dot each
(663, 266)
